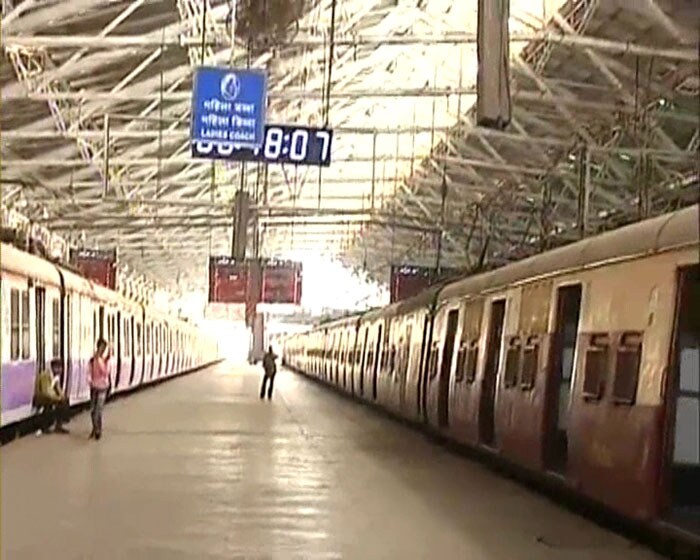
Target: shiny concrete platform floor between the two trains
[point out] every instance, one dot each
(200, 468)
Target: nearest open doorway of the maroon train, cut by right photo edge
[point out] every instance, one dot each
(683, 455)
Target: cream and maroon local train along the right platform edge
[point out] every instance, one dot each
(580, 365)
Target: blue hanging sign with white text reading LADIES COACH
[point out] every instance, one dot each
(228, 106)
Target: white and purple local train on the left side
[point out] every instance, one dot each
(50, 312)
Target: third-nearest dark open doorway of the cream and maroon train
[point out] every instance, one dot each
(490, 380)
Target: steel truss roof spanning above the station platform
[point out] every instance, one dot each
(604, 130)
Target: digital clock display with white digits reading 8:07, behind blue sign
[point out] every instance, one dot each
(298, 145)
